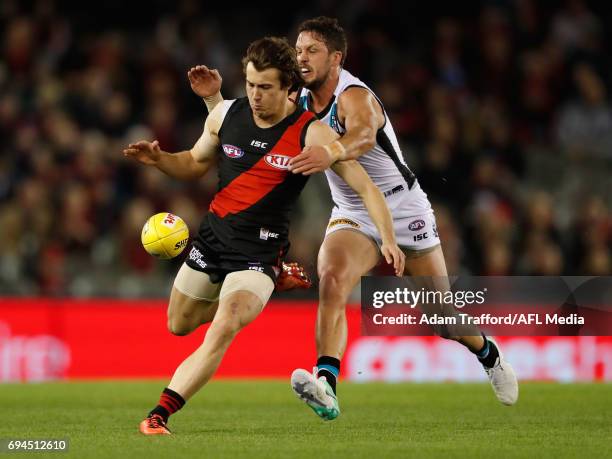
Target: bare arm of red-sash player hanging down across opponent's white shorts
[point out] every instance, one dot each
(356, 177)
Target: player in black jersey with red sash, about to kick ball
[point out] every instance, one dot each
(235, 257)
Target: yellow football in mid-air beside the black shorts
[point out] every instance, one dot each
(164, 235)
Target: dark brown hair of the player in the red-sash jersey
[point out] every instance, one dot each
(275, 53)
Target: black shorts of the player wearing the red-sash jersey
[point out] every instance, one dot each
(209, 255)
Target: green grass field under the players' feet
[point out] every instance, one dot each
(264, 419)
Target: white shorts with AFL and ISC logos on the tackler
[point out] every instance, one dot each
(413, 220)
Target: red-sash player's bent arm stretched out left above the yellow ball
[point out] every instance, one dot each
(184, 165)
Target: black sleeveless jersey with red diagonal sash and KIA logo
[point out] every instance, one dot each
(256, 192)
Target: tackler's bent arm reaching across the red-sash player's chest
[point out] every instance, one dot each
(363, 116)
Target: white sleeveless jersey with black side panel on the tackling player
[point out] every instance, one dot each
(384, 163)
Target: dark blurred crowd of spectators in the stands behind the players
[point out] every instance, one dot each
(502, 111)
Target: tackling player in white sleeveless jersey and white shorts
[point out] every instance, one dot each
(351, 246)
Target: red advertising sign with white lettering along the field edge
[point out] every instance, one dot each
(43, 339)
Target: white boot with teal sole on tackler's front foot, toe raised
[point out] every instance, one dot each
(316, 392)
